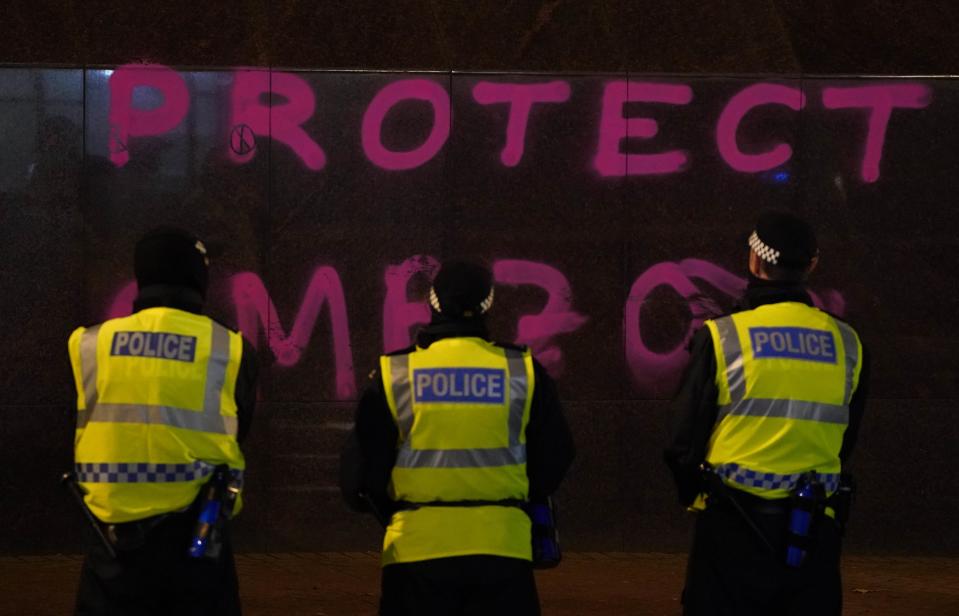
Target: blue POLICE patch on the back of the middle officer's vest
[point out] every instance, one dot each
(459, 385)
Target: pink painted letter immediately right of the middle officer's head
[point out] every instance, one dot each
(539, 331)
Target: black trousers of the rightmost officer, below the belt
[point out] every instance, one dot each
(733, 573)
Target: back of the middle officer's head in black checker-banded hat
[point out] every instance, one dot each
(462, 289)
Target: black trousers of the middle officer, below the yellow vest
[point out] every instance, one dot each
(460, 586)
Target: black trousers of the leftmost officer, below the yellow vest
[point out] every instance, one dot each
(158, 578)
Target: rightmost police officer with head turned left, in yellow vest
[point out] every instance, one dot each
(772, 400)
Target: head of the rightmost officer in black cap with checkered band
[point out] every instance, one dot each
(785, 246)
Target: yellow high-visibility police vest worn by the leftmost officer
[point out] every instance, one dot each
(156, 411)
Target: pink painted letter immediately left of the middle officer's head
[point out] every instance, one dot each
(400, 314)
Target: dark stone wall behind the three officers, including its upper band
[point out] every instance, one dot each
(69, 216)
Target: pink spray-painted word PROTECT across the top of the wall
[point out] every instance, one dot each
(251, 116)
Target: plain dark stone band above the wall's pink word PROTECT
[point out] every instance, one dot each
(749, 36)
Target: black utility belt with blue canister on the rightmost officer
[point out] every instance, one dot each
(800, 513)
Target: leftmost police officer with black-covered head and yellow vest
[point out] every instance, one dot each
(164, 397)
